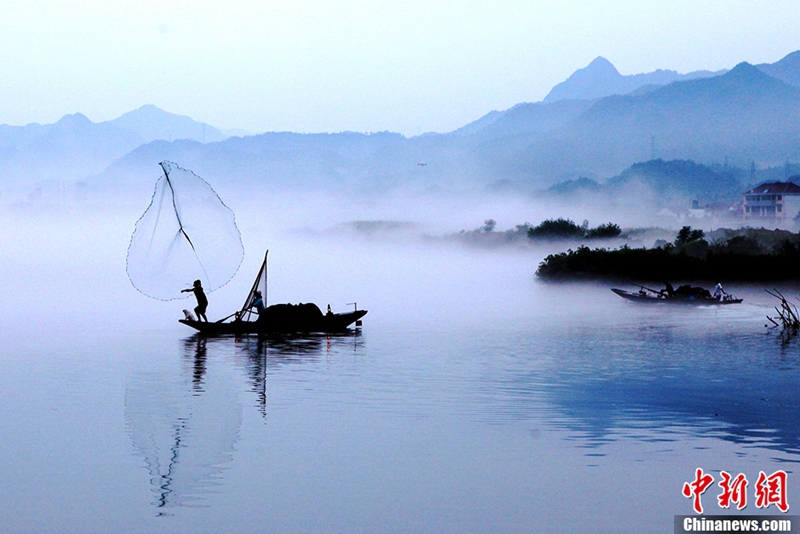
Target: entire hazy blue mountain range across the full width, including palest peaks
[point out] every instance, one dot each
(595, 124)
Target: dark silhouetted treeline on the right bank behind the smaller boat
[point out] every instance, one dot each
(744, 255)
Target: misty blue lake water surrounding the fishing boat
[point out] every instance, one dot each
(474, 399)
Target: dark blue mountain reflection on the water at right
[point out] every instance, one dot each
(656, 381)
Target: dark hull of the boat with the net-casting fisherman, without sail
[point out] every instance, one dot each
(328, 323)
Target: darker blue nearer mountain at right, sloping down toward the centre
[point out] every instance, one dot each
(743, 115)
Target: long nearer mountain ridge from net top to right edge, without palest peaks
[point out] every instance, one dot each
(743, 115)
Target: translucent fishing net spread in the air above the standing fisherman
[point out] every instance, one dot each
(187, 233)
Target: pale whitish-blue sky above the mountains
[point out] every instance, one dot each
(407, 66)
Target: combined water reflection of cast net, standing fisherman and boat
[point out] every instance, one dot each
(185, 420)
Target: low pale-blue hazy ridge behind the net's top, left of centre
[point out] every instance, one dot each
(262, 163)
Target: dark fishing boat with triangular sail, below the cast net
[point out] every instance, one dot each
(276, 318)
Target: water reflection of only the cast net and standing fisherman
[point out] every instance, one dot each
(184, 423)
